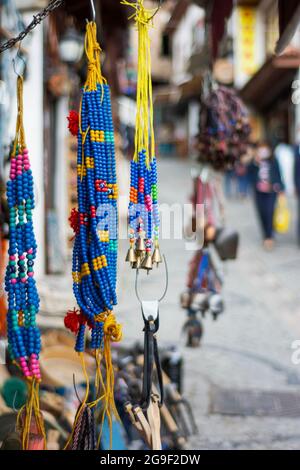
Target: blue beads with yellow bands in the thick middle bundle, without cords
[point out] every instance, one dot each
(95, 247)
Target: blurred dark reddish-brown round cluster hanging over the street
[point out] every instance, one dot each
(224, 128)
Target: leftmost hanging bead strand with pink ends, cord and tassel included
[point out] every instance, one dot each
(23, 300)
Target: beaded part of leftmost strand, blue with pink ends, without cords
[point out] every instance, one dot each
(23, 301)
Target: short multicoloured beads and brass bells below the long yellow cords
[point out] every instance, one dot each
(143, 214)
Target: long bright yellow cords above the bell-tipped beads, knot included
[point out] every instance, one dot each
(144, 129)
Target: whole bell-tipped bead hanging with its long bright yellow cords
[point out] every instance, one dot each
(143, 213)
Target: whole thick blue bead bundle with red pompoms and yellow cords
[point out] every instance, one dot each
(95, 245)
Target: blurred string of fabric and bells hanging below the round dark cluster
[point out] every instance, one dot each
(204, 282)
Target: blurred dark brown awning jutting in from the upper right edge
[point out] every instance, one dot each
(271, 80)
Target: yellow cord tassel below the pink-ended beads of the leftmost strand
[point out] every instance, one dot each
(30, 420)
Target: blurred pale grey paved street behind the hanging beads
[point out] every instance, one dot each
(241, 382)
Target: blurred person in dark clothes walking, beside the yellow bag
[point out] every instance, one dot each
(267, 182)
